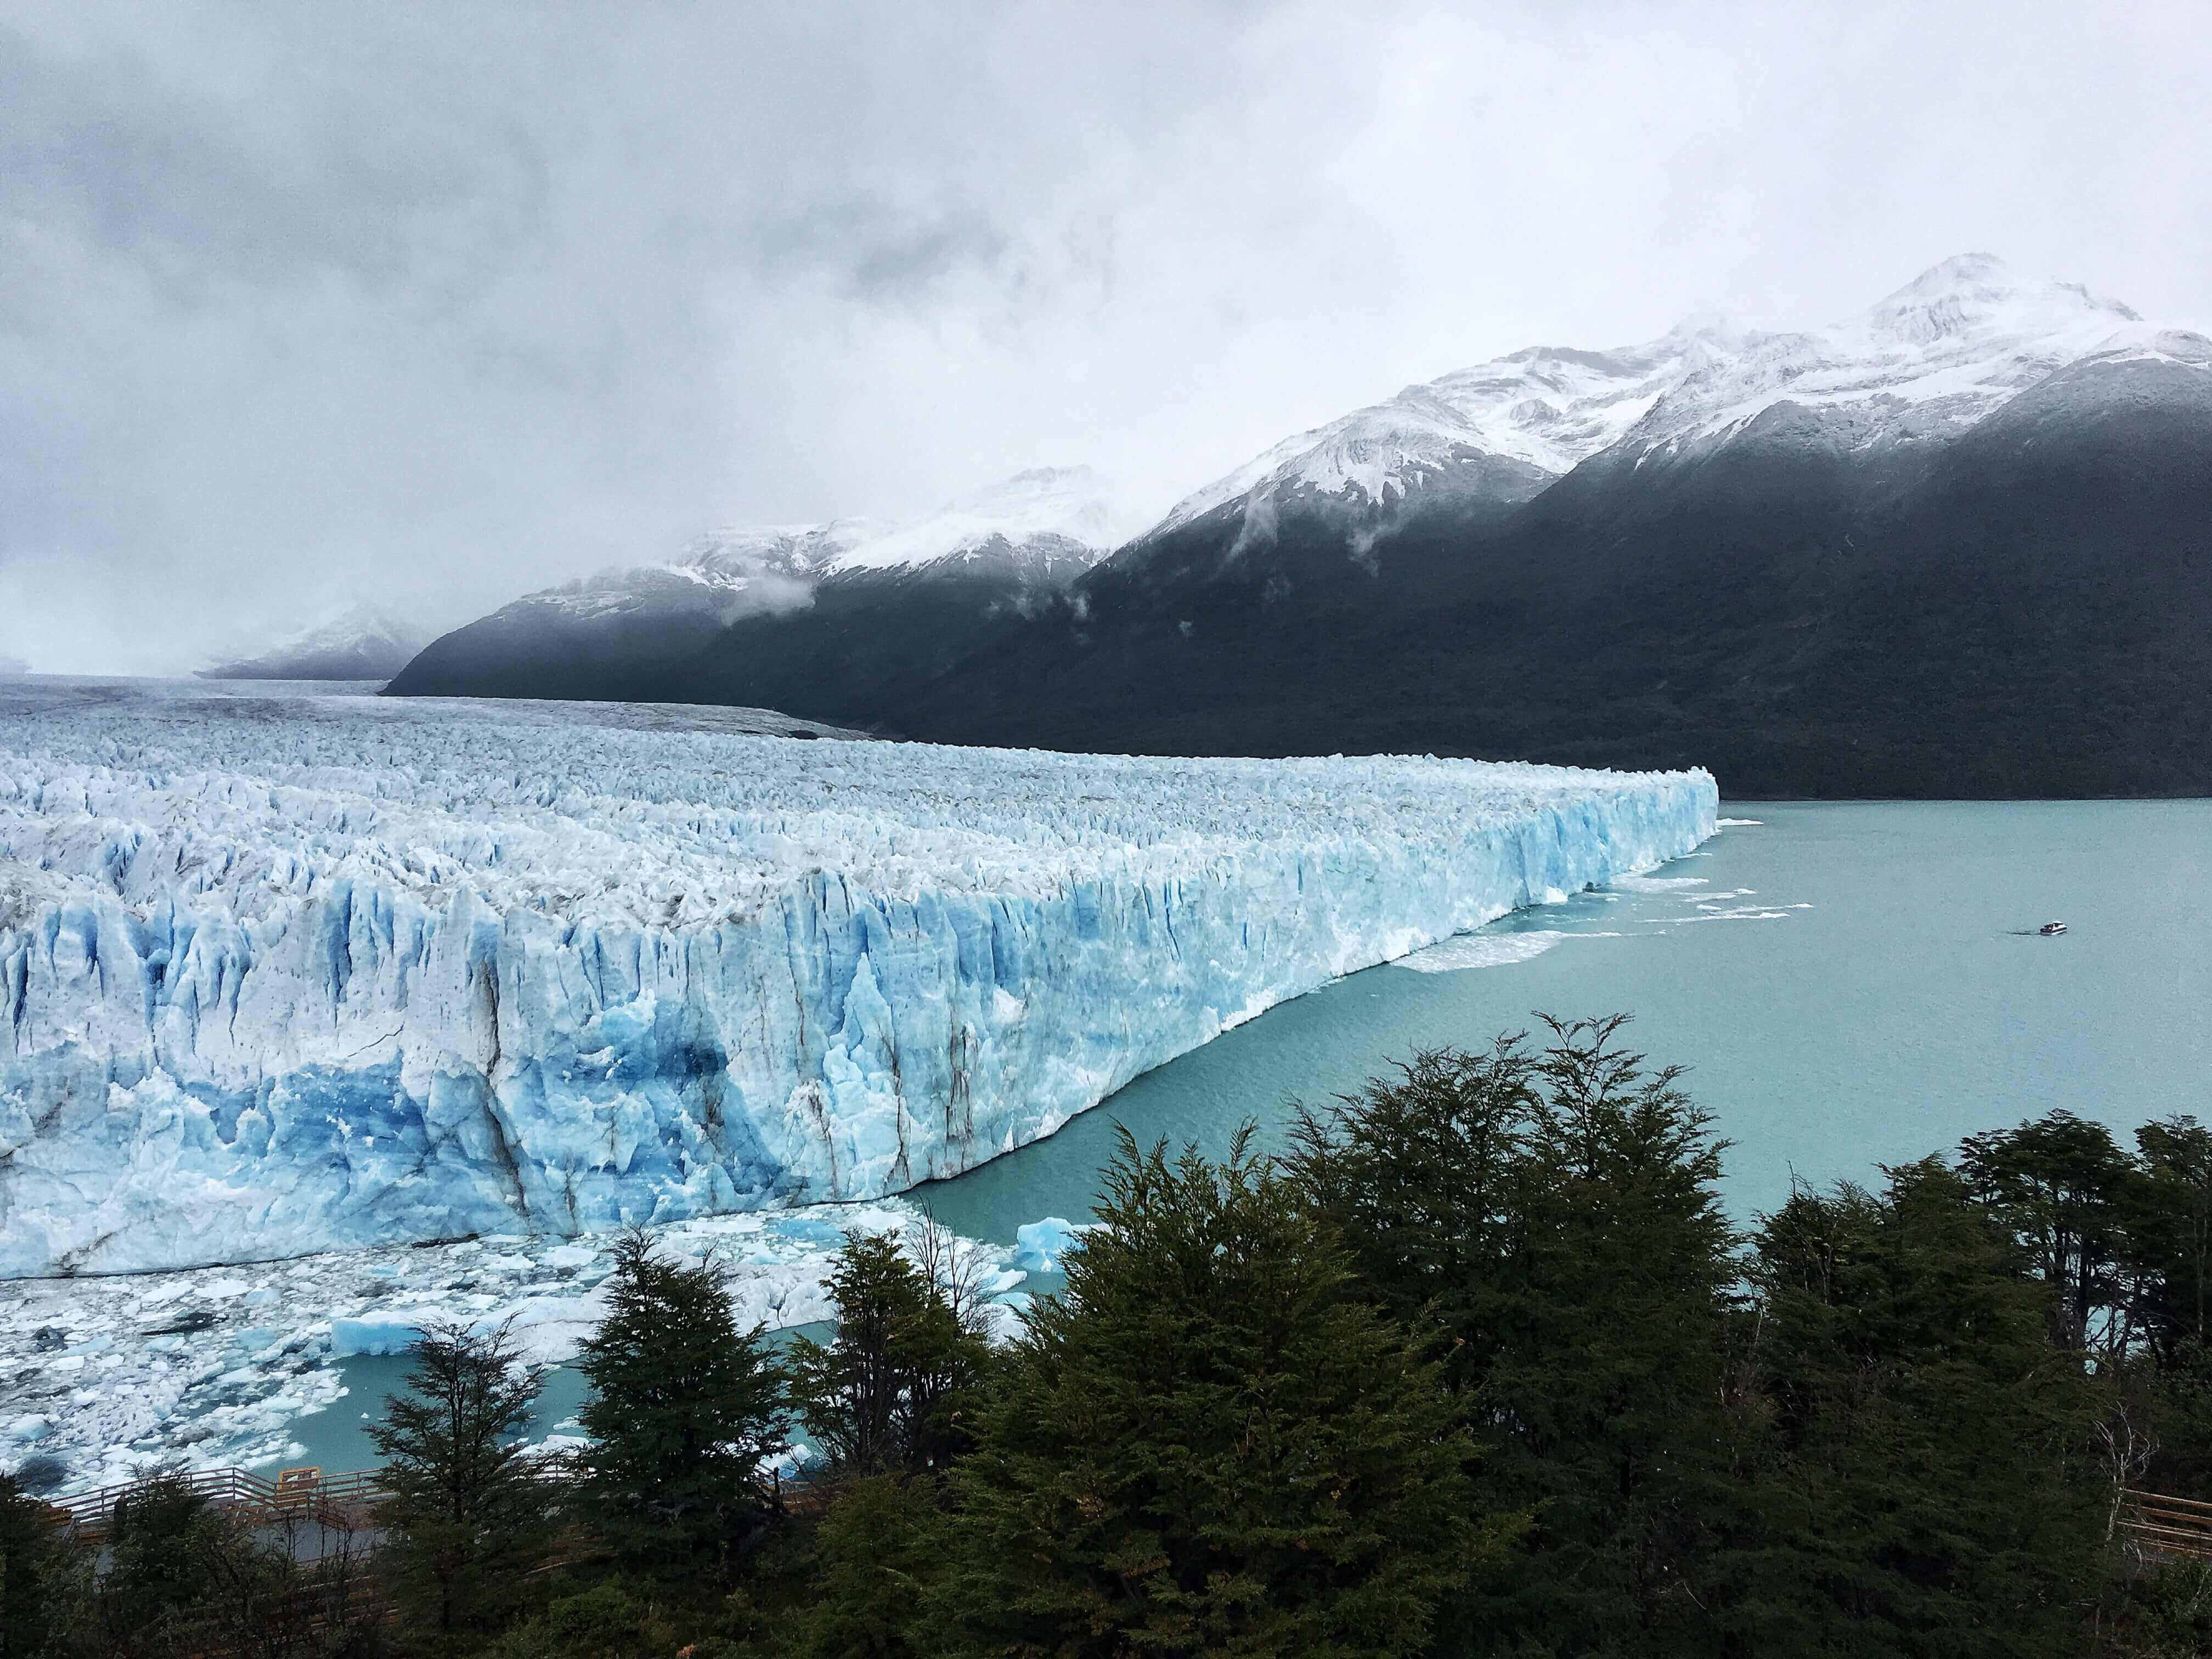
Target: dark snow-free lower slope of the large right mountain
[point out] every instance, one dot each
(2021, 612)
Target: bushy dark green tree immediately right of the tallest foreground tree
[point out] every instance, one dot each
(1934, 1490)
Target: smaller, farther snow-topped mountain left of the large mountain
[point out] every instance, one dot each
(638, 634)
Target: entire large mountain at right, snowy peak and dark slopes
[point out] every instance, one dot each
(1952, 545)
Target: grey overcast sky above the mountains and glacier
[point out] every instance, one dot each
(455, 302)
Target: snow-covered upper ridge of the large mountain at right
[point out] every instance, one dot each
(1930, 359)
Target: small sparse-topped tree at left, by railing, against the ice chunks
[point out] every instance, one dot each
(468, 1507)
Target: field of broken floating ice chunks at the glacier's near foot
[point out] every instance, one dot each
(105, 1379)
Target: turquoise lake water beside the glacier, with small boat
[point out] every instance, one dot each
(1850, 985)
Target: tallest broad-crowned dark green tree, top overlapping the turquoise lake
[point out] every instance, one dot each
(1552, 1222)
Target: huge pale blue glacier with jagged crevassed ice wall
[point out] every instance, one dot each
(300, 977)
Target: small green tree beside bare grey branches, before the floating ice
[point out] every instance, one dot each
(893, 1390)
